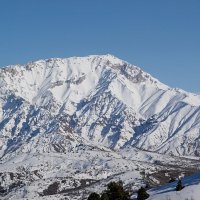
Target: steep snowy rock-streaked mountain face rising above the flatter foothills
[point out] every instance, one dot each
(98, 98)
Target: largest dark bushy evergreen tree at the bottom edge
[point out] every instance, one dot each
(115, 191)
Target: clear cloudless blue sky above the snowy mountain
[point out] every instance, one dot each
(160, 36)
